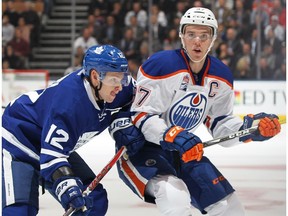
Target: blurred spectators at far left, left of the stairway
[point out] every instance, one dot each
(20, 33)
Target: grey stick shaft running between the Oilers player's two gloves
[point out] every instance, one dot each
(233, 135)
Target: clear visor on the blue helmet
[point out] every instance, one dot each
(115, 79)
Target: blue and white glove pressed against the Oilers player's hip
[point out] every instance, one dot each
(125, 133)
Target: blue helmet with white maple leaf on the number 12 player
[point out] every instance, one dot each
(105, 58)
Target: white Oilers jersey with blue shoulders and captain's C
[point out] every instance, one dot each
(168, 93)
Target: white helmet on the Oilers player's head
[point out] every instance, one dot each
(199, 16)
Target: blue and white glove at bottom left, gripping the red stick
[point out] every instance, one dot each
(68, 191)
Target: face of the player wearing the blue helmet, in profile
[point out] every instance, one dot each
(111, 86)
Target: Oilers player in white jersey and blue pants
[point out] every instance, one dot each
(177, 90)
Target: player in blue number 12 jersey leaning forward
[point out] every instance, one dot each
(42, 129)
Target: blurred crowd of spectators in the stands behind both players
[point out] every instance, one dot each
(126, 24)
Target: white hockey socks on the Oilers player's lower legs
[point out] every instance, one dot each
(173, 199)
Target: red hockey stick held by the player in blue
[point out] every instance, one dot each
(98, 178)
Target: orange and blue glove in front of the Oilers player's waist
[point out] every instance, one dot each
(189, 145)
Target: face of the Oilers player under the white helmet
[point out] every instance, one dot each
(197, 40)
